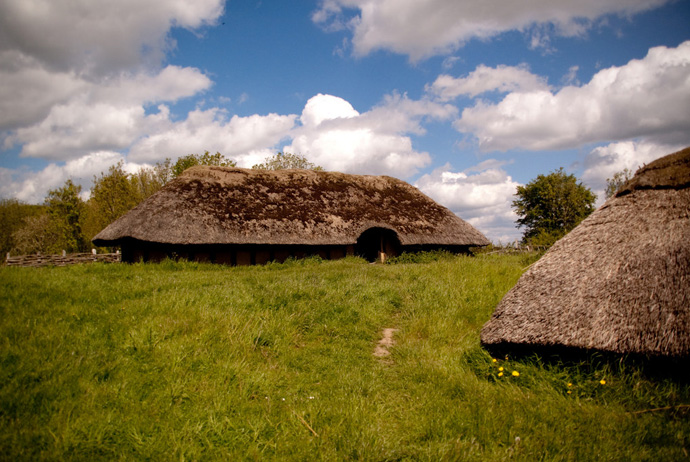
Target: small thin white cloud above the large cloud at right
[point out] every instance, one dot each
(485, 79)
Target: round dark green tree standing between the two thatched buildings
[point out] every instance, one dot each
(551, 205)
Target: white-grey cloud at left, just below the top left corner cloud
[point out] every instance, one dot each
(105, 116)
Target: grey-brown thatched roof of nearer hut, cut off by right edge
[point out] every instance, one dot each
(619, 282)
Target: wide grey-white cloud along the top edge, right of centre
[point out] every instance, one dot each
(421, 28)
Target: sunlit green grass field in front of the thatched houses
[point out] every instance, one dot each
(184, 361)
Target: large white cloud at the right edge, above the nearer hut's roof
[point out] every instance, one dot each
(648, 98)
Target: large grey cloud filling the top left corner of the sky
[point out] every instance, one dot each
(98, 37)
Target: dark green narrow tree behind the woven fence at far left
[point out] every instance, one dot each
(66, 211)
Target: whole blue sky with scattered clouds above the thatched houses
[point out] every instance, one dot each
(466, 100)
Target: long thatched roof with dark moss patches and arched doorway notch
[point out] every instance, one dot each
(219, 205)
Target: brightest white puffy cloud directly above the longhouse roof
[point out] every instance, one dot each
(337, 137)
